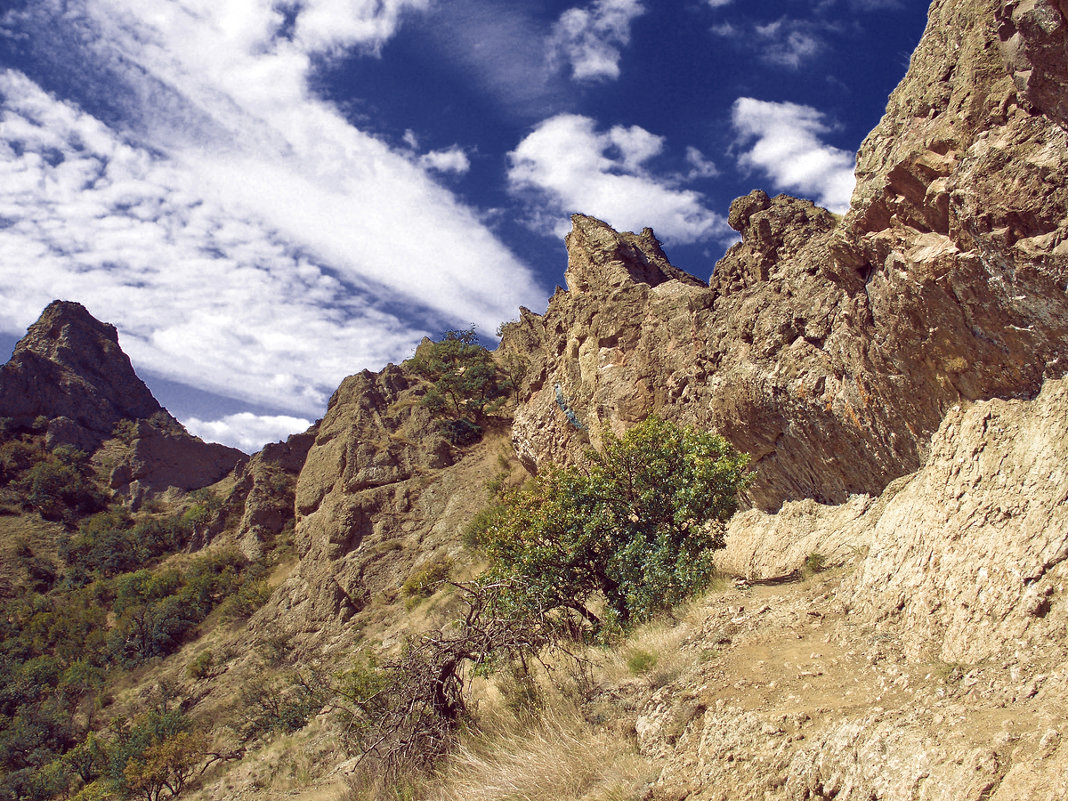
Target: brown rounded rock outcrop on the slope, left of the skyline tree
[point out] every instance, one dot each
(381, 495)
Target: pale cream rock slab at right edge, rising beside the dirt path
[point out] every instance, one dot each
(972, 555)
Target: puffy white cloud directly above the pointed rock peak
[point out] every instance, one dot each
(570, 167)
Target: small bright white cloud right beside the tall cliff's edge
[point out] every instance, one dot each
(783, 142)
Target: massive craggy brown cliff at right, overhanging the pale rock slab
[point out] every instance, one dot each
(831, 352)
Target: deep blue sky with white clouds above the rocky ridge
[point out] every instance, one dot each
(268, 196)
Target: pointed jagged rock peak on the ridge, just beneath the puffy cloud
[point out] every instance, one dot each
(601, 258)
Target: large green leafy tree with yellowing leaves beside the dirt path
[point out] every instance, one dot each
(636, 526)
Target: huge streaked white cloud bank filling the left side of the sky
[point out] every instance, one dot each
(243, 235)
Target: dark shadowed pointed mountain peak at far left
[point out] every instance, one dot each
(70, 371)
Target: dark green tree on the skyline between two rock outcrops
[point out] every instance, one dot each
(465, 384)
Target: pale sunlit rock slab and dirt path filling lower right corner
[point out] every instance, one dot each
(937, 668)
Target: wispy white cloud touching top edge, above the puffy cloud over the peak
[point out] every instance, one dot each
(590, 39)
